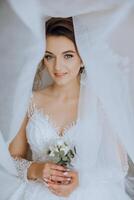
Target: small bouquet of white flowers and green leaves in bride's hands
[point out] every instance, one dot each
(61, 152)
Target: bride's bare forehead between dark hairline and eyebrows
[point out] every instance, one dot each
(59, 44)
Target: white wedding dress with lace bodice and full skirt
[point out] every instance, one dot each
(104, 185)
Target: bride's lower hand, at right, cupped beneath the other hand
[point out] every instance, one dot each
(65, 190)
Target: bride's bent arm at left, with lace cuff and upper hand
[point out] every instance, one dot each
(33, 170)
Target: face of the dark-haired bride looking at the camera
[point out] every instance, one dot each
(61, 59)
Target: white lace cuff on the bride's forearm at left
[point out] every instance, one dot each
(22, 166)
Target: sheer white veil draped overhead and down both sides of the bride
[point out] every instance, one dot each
(104, 36)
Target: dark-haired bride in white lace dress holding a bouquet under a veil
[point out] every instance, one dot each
(101, 165)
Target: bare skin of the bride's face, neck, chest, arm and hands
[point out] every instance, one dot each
(60, 58)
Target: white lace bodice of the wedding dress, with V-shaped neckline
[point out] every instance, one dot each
(41, 130)
